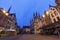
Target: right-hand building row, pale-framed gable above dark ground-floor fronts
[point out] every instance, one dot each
(53, 22)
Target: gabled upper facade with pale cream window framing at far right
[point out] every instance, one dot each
(55, 12)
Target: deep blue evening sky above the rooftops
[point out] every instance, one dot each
(24, 8)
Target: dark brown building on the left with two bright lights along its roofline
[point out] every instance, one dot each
(7, 22)
